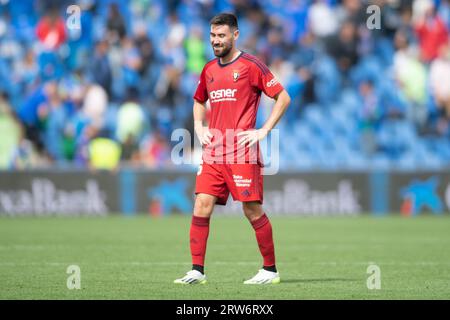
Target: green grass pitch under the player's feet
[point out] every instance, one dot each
(139, 257)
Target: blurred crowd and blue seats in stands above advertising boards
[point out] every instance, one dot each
(109, 88)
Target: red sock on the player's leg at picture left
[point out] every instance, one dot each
(199, 235)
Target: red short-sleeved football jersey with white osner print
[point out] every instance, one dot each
(234, 91)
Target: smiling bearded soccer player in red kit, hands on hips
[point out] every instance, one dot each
(232, 83)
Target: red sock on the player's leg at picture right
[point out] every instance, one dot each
(263, 230)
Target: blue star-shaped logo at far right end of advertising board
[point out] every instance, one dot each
(424, 196)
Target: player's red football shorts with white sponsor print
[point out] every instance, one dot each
(244, 181)
